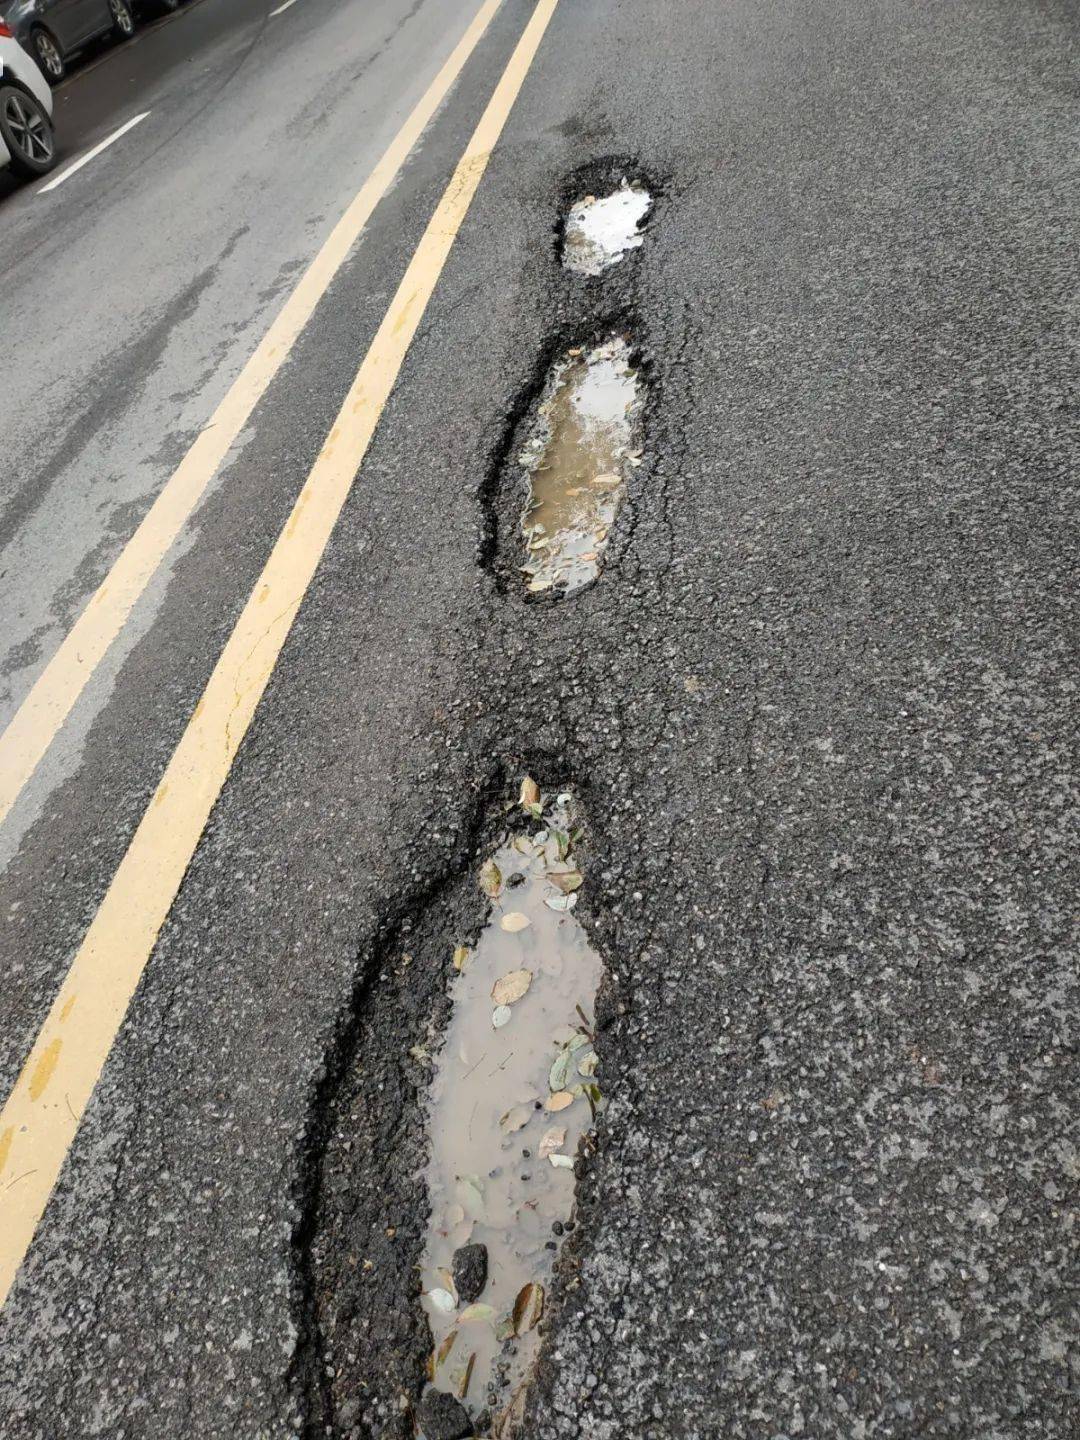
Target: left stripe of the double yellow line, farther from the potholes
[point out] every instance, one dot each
(50, 702)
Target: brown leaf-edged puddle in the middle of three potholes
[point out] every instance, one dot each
(577, 460)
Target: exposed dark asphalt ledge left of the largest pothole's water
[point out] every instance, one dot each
(364, 1338)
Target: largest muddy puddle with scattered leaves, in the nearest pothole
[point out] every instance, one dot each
(515, 1092)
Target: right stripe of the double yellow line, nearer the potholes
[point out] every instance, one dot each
(44, 1111)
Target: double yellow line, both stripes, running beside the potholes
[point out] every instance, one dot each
(44, 1111)
